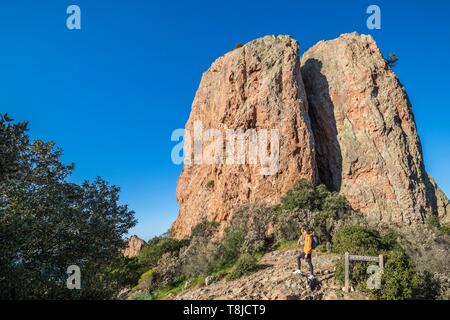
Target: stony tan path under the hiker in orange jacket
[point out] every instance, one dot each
(275, 281)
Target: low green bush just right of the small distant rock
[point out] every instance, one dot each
(157, 247)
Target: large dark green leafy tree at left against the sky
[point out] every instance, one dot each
(48, 223)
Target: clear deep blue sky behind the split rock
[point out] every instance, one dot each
(111, 94)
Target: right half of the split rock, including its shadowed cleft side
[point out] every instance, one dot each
(366, 138)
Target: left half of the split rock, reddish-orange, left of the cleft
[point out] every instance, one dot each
(254, 87)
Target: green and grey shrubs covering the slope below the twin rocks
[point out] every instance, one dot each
(255, 230)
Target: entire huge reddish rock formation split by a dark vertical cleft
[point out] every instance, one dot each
(358, 134)
